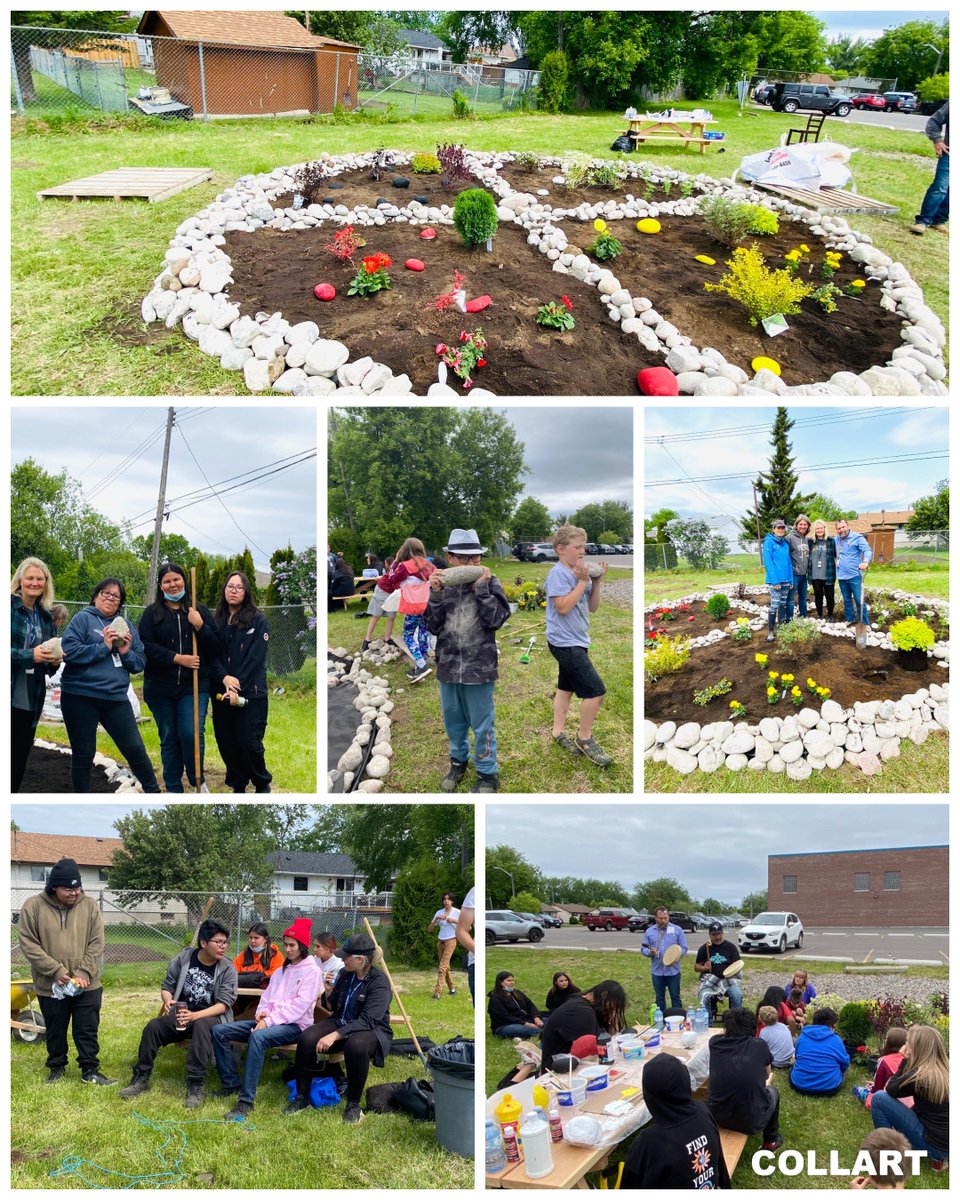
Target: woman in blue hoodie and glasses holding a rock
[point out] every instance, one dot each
(101, 652)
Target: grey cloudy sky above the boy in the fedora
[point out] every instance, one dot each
(577, 455)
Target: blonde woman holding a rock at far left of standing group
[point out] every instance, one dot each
(31, 659)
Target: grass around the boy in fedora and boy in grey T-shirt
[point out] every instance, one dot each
(529, 759)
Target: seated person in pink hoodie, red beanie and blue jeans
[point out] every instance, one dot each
(284, 1012)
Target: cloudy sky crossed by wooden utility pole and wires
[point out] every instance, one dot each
(91, 443)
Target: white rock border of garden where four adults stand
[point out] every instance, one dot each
(867, 735)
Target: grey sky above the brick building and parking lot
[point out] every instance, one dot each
(718, 850)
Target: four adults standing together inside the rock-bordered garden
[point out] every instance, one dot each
(806, 555)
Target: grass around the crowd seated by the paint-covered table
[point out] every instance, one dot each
(837, 1123)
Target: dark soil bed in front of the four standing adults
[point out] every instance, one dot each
(833, 663)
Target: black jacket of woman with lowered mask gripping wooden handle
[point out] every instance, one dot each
(166, 633)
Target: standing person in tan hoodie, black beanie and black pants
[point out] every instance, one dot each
(62, 937)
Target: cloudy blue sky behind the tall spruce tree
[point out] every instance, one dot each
(731, 441)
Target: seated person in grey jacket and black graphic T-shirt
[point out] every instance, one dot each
(199, 993)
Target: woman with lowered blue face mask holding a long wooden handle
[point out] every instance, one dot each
(167, 631)
